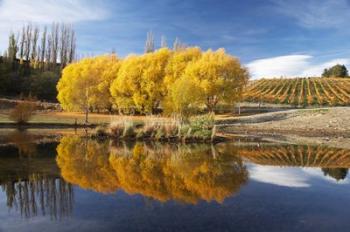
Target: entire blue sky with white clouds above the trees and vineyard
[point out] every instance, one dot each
(271, 37)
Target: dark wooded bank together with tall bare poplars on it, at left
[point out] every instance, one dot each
(34, 59)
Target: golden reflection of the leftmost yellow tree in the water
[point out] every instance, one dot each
(85, 162)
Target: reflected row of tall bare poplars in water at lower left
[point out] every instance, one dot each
(39, 194)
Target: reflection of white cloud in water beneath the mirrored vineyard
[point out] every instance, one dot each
(288, 177)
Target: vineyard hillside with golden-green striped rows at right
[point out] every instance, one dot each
(300, 91)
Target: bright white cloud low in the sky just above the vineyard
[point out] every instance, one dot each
(290, 66)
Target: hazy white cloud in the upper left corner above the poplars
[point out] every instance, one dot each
(15, 13)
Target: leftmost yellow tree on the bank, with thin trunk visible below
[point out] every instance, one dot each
(84, 85)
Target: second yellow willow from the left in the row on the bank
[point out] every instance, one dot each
(139, 83)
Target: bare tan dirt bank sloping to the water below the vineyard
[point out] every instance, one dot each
(324, 125)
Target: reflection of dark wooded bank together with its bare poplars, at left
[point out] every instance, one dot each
(33, 185)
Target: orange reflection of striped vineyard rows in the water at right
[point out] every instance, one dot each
(297, 155)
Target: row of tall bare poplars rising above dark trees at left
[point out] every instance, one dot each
(48, 49)
